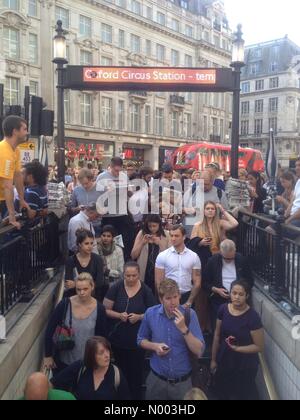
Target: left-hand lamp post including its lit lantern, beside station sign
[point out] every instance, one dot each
(60, 59)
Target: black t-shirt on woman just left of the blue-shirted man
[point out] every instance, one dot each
(123, 334)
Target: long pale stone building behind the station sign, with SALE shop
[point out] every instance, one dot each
(139, 126)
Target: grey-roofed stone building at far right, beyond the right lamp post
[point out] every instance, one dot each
(270, 98)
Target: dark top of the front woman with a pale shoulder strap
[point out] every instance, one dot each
(81, 381)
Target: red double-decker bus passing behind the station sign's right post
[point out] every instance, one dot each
(196, 156)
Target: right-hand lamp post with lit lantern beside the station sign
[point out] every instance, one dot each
(238, 61)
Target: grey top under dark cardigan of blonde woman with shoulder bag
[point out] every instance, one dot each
(84, 329)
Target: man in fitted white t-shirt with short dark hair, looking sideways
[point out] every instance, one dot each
(180, 264)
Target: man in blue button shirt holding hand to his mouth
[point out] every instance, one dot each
(165, 333)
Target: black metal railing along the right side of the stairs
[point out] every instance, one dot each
(274, 257)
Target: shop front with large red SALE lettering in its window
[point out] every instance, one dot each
(80, 152)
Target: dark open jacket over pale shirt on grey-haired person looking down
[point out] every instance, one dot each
(212, 276)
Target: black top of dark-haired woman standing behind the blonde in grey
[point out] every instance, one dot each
(95, 269)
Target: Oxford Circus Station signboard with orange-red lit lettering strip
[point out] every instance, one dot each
(163, 79)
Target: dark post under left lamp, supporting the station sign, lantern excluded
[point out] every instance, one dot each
(60, 123)
